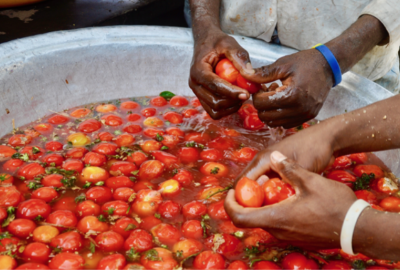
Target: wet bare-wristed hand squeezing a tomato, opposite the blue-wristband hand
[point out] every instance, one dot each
(217, 96)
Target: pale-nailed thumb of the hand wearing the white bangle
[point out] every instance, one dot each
(289, 170)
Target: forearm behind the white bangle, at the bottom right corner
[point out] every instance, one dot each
(376, 235)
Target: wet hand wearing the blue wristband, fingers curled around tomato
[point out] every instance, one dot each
(306, 80)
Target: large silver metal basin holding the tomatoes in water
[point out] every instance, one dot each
(60, 70)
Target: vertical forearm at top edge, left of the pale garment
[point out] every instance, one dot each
(205, 17)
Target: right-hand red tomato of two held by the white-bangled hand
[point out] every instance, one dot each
(276, 190)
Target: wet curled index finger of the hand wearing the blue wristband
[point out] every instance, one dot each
(266, 101)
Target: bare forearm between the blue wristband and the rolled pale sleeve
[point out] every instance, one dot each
(351, 46)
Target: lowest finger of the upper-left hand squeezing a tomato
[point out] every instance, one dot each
(213, 101)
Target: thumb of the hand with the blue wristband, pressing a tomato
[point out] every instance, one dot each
(265, 74)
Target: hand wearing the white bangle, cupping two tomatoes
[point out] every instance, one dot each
(313, 217)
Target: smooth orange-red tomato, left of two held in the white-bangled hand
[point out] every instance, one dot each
(248, 193)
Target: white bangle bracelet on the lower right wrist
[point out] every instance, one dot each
(349, 224)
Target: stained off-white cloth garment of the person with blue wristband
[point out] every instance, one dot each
(304, 23)
